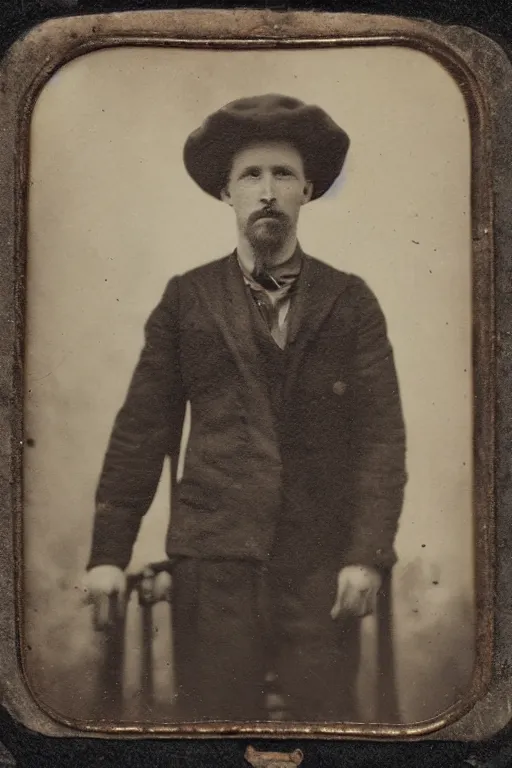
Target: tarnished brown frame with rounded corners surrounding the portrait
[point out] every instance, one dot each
(26, 69)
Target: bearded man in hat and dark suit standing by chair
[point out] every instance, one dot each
(285, 517)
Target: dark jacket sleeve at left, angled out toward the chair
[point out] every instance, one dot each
(146, 429)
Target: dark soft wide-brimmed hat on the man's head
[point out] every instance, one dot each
(323, 145)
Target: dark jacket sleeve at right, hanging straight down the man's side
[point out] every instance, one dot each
(377, 438)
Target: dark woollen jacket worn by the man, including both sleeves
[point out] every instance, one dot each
(324, 461)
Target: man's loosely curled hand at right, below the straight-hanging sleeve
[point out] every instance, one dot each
(358, 586)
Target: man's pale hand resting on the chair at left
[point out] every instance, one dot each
(105, 588)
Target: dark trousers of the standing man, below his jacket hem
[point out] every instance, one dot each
(234, 621)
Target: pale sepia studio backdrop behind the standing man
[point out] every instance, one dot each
(112, 215)
